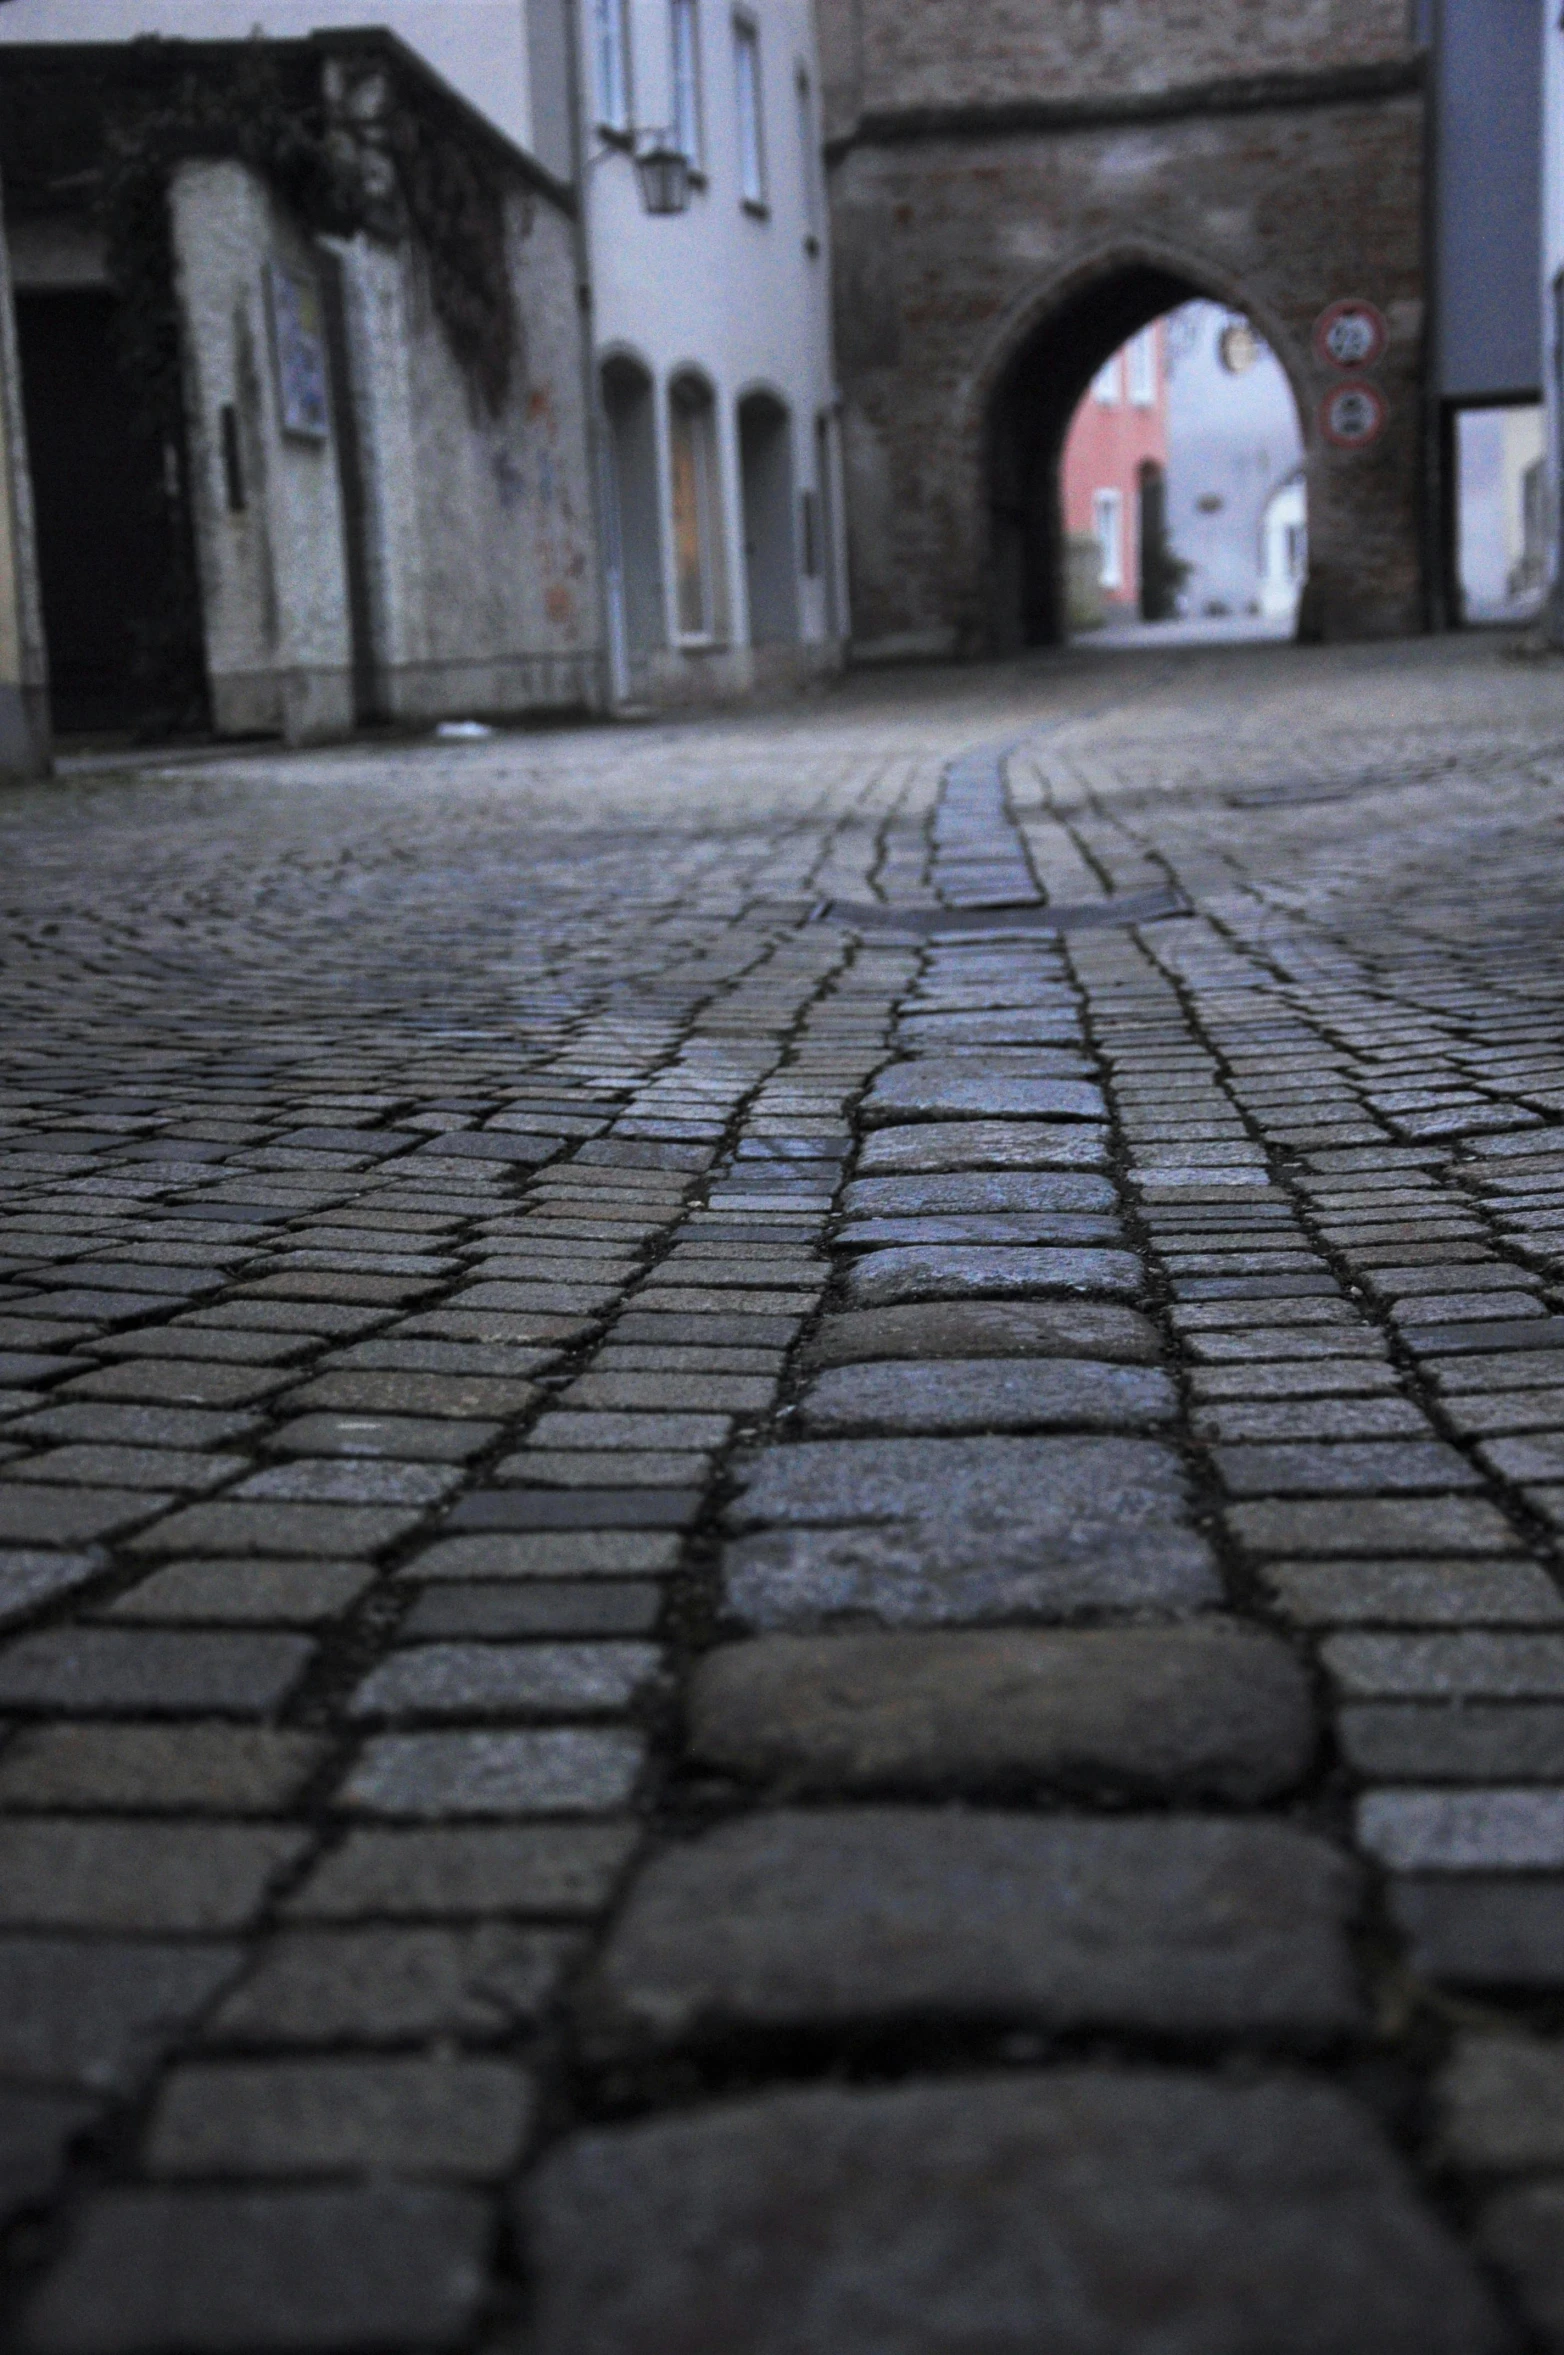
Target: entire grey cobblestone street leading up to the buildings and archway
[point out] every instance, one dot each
(781, 1525)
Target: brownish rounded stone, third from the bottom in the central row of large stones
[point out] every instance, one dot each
(1207, 1711)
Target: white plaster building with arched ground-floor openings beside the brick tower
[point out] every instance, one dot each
(722, 479)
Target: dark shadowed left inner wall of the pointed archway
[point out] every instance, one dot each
(1028, 423)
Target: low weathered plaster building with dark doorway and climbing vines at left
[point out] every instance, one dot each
(380, 493)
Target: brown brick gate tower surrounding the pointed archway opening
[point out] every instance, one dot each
(1014, 194)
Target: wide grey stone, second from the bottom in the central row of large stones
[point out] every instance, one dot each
(877, 1918)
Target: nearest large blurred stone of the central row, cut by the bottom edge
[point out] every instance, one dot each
(1085, 2213)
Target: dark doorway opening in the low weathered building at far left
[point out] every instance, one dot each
(119, 621)
